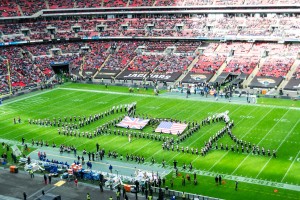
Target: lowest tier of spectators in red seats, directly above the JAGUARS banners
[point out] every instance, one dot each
(30, 64)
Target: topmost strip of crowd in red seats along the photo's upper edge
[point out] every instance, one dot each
(30, 7)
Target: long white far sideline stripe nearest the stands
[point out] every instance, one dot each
(181, 97)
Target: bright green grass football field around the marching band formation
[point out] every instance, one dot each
(271, 127)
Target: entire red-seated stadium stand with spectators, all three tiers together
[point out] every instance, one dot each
(72, 40)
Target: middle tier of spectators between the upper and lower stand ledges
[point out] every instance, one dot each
(156, 26)
